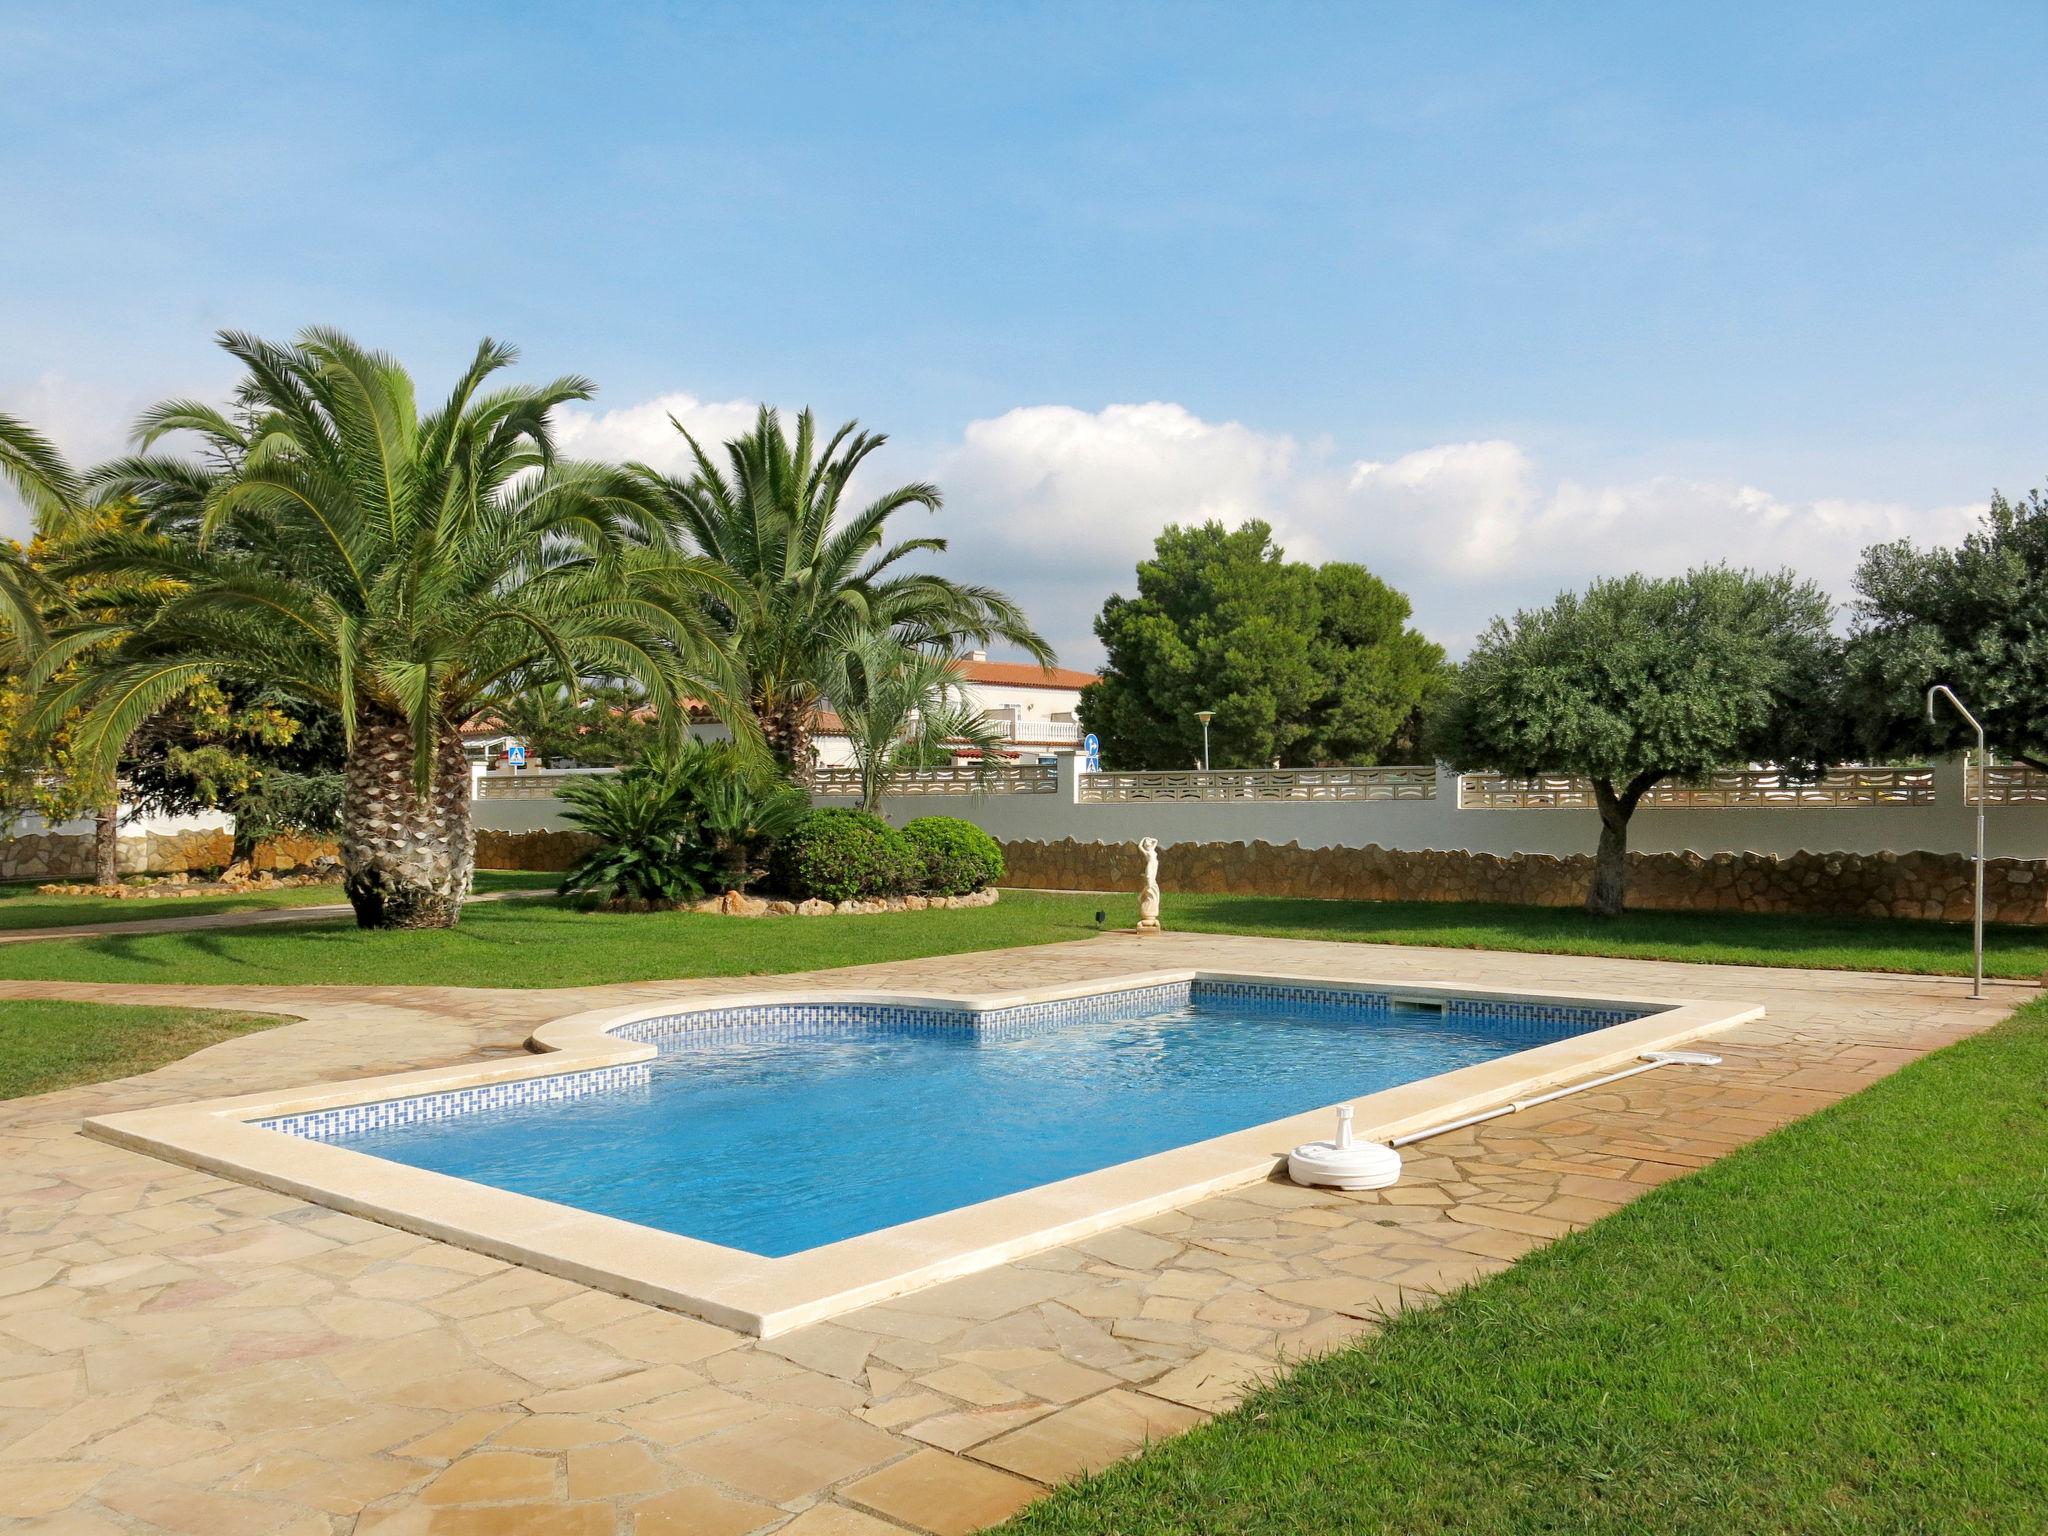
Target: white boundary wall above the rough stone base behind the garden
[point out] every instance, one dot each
(1945, 826)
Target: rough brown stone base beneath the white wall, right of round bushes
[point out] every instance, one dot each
(1842, 886)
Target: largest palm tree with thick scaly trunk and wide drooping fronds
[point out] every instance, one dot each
(394, 566)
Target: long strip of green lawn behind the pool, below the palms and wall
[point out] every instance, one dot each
(548, 945)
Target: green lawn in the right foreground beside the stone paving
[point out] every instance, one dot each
(1842, 1328)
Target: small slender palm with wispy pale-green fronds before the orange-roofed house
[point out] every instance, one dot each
(902, 706)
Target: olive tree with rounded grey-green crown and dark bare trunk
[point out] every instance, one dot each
(1648, 679)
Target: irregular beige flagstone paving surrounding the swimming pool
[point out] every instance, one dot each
(187, 1355)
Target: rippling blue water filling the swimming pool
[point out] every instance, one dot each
(898, 1113)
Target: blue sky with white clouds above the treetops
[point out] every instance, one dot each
(1492, 298)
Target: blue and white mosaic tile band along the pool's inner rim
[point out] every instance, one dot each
(812, 1019)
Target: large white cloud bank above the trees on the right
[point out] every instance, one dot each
(1060, 505)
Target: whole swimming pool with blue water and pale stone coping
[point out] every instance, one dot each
(855, 1103)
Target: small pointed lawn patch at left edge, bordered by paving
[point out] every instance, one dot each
(56, 1046)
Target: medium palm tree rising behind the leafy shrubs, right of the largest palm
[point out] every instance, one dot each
(806, 572)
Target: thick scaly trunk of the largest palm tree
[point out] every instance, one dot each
(407, 859)
